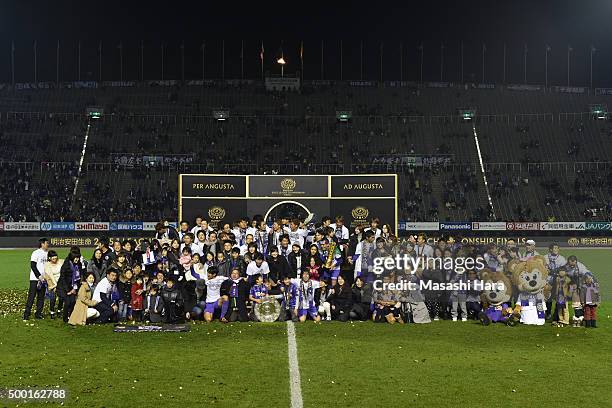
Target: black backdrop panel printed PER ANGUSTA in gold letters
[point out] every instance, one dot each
(212, 185)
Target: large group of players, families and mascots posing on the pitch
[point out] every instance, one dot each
(321, 271)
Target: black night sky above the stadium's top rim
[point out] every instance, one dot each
(284, 25)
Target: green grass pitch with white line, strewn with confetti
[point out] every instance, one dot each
(442, 364)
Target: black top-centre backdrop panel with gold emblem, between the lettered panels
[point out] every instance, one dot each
(288, 186)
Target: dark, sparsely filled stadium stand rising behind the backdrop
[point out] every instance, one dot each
(545, 158)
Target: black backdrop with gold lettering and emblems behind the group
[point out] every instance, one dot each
(225, 198)
